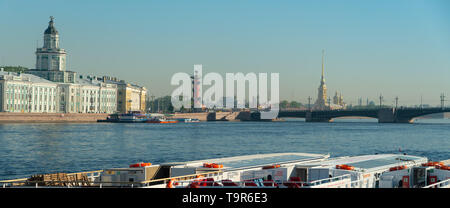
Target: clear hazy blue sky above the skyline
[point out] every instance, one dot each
(397, 48)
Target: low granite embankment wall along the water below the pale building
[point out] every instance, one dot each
(50, 117)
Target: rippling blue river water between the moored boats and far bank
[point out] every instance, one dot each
(27, 149)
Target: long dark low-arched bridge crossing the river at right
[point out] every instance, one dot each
(384, 115)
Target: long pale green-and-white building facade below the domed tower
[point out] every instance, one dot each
(30, 93)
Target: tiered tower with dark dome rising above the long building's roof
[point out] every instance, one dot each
(50, 57)
